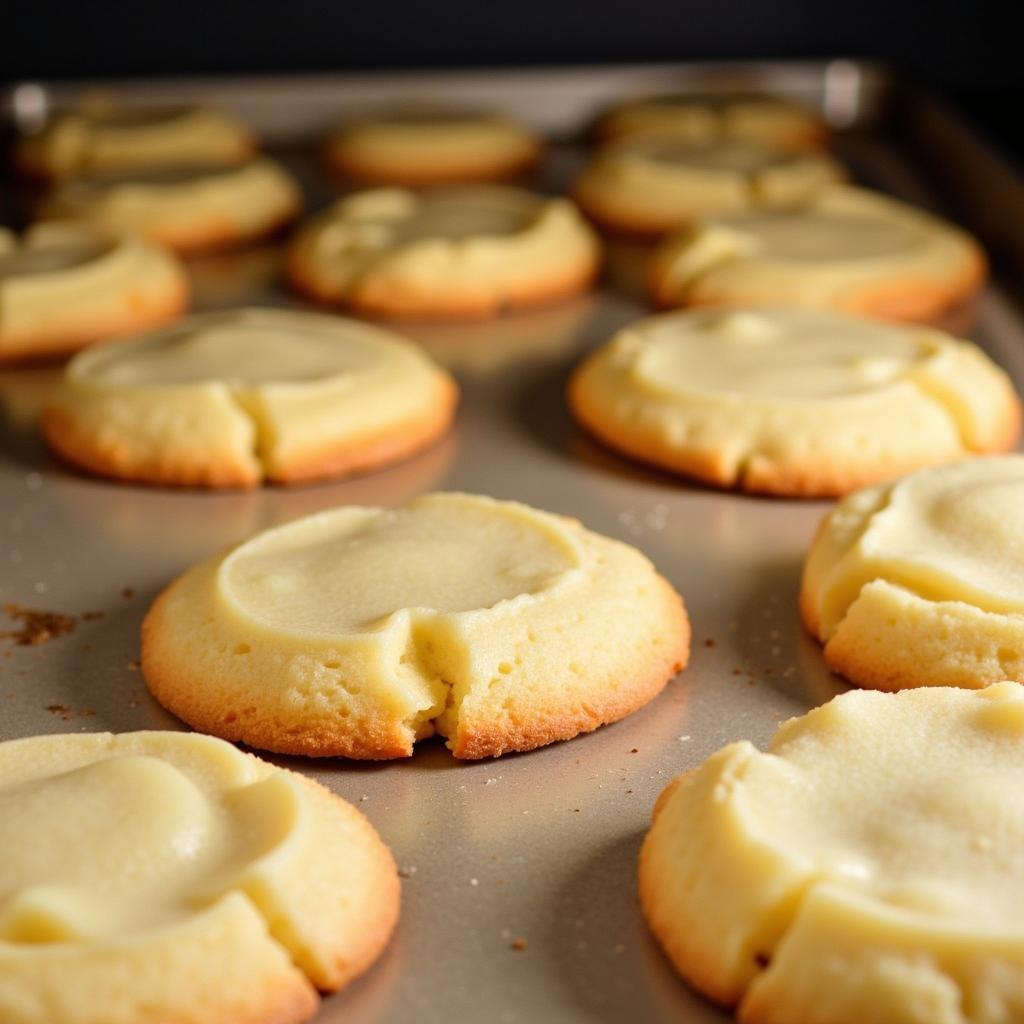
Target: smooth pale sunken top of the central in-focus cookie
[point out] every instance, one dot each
(351, 571)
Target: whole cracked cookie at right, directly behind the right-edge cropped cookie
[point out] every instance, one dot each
(793, 402)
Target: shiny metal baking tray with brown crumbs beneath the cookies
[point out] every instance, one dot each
(540, 847)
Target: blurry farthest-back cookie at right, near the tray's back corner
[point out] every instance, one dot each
(713, 118)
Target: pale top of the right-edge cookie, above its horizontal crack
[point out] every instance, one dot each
(949, 534)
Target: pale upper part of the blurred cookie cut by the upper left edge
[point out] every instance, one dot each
(78, 270)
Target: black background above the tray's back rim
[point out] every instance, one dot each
(971, 54)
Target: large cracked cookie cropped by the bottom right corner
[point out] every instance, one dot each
(867, 869)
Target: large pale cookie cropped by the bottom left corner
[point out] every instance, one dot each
(158, 877)
